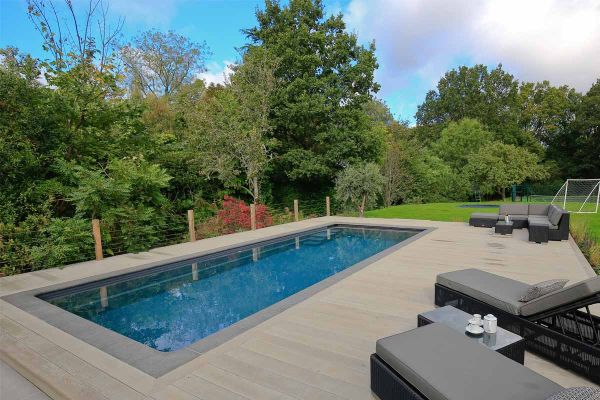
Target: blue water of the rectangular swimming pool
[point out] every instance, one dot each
(173, 308)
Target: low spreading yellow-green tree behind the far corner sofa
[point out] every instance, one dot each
(497, 166)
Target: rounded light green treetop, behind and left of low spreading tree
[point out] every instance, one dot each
(459, 139)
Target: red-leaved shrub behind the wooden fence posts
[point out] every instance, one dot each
(235, 215)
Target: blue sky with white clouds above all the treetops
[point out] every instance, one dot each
(417, 40)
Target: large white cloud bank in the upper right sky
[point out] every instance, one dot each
(558, 40)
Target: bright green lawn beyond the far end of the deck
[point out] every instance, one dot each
(451, 212)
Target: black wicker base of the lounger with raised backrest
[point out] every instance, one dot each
(545, 336)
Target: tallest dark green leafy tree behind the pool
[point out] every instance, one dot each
(324, 77)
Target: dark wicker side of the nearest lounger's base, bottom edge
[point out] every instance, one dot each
(388, 385)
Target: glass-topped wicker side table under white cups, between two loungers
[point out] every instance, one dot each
(504, 342)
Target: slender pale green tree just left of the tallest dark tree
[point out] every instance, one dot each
(230, 130)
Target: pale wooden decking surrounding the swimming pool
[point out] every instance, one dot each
(317, 349)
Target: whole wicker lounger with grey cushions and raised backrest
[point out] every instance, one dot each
(559, 326)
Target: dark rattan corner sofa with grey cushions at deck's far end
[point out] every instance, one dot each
(549, 222)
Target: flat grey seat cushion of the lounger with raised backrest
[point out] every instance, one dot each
(498, 291)
